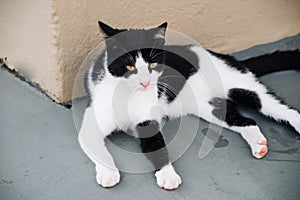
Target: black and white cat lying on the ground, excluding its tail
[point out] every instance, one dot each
(136, 73)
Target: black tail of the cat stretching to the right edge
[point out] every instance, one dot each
(274, 62)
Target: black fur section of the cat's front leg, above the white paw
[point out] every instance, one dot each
(152, 143)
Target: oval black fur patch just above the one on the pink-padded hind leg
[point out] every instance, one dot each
(245, 97)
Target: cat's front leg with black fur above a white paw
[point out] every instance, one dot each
(154, 147)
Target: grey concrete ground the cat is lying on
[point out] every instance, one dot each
(40, 157)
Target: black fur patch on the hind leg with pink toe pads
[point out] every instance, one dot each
(225, 110)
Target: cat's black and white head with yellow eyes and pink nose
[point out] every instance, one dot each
(136, 55)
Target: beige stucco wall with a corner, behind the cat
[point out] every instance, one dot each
(62, 32)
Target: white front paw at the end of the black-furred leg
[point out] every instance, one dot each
(167, 178)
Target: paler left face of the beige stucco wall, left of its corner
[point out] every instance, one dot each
(26, 41)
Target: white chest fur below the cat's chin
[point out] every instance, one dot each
(125, 106)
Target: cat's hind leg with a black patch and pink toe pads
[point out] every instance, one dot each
(223, 112)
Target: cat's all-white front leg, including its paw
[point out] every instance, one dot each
(91, 139)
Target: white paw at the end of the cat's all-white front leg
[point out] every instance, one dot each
(107, 177)
